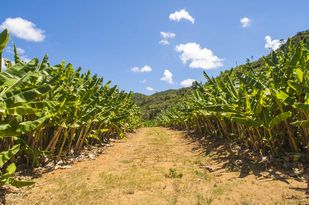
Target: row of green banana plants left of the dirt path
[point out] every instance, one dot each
(55, 110)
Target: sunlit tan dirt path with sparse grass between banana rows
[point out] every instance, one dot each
(156, 166)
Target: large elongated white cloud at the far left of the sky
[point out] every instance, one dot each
(23, 29)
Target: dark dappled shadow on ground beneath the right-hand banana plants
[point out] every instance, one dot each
(232, 157)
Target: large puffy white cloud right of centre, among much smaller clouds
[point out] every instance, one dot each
(200, 57)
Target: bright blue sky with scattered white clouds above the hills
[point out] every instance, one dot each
(115, 38)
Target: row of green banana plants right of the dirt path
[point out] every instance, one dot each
(266, 108)
